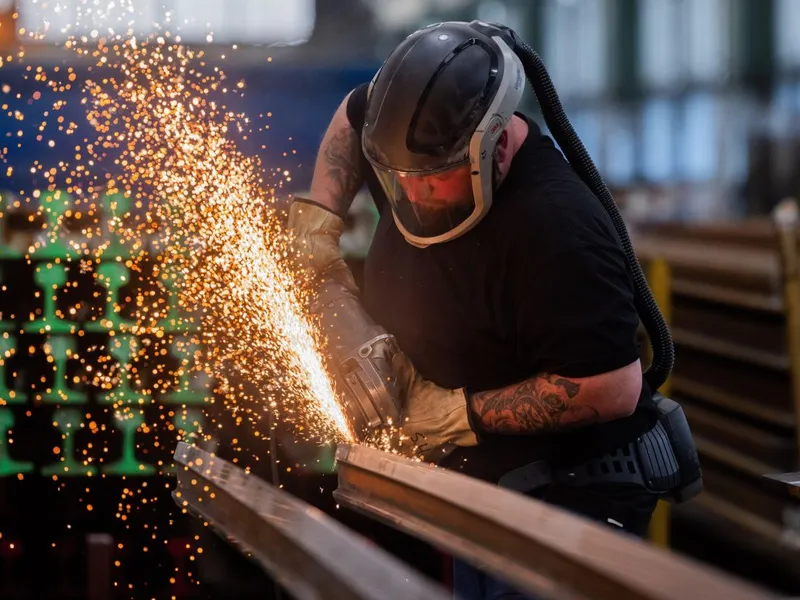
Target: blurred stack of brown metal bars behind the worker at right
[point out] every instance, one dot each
(735, 310)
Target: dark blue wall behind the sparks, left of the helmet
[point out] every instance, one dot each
(302, 100)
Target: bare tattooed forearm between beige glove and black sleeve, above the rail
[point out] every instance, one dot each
(550, 402)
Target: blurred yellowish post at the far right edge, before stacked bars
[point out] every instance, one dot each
(786, 219)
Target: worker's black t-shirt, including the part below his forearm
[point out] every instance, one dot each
(539, 285)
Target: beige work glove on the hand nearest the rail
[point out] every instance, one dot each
(435, 419)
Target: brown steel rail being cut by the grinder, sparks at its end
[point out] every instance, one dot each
(538, 548)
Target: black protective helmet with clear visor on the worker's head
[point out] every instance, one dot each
(435, 110)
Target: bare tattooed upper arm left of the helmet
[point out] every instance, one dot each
(338, 173)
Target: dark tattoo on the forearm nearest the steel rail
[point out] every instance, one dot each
(543, 403)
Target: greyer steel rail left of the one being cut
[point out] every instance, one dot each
(309, 553)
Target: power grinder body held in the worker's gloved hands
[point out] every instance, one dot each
(360, 356)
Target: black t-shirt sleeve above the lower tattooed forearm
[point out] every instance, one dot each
(573, 299)
